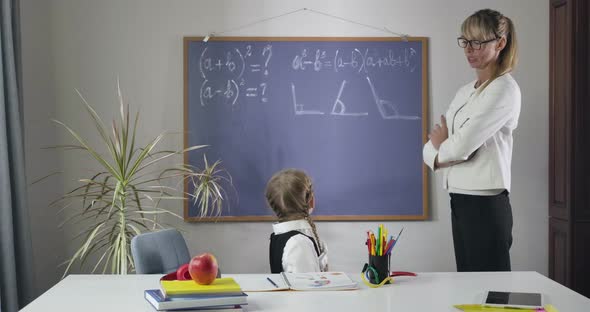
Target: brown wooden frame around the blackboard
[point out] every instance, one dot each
(425, 98)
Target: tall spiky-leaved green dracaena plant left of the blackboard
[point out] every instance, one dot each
(124, 197)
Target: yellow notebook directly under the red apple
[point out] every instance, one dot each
(220, 285)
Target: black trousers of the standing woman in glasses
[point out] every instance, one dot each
(482, 232)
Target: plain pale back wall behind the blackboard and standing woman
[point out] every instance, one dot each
(90, 43)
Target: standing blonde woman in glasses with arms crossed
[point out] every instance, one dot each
(472, 145)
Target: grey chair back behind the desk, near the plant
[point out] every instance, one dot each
(159, 252)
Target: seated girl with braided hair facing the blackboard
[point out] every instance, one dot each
(295, 246)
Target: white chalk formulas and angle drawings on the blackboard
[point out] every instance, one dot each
(234, 62)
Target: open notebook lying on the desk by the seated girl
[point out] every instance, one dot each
(298, 281)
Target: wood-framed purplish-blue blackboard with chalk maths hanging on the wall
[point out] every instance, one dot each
(351, 112)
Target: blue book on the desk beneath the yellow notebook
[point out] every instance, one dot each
(197, 302)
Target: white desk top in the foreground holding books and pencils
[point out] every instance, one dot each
(427, 292)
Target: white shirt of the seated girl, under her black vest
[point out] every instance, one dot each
(299, 255)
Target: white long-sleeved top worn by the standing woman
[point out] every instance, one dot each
(484, 122)
